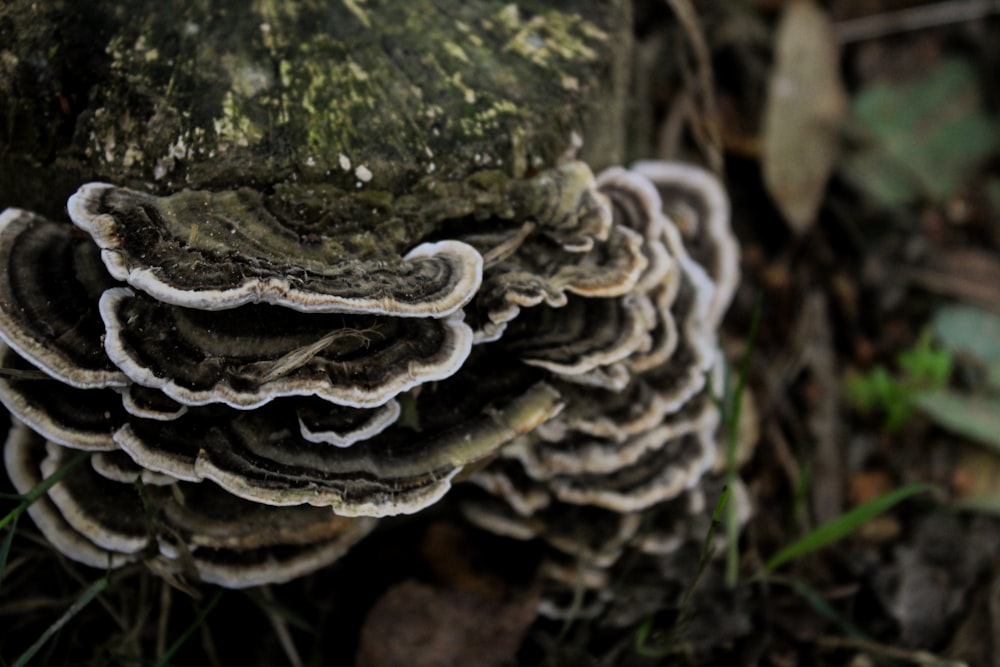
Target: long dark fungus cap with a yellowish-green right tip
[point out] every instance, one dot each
(261, 456)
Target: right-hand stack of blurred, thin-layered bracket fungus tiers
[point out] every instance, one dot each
(625, 466)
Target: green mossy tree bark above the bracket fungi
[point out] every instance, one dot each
(383, 98)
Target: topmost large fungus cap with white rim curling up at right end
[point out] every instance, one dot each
(220, 250)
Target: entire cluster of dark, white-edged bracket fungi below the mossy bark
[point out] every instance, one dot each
(256, 392)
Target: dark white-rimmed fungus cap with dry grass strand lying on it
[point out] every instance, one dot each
(248, 356)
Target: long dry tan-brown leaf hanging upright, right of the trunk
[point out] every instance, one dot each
(804, 111)
